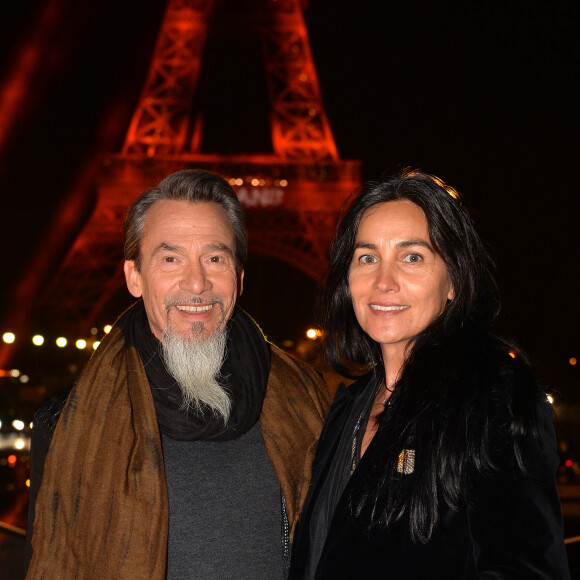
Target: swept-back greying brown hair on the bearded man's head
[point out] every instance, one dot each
(194, 186)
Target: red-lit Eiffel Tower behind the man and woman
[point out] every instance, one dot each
(292, 194)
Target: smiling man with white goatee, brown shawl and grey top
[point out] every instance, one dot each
(184, 449)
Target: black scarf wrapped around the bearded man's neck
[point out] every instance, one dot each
(244, 374)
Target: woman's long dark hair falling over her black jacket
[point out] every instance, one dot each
(447, 405)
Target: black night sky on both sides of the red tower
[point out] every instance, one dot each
(482, 94)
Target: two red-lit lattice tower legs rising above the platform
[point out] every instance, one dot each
(163, 123)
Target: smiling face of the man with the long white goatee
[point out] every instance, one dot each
(188, 270)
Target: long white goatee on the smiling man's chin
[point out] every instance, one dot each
(195, 362)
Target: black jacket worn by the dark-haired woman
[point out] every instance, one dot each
(511, 529)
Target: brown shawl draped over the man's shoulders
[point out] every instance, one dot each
(102, 509)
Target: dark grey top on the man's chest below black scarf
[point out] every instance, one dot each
(225, 516)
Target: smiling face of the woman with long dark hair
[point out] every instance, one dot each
(398, 283)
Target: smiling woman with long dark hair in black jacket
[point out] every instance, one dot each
(440, 460)
